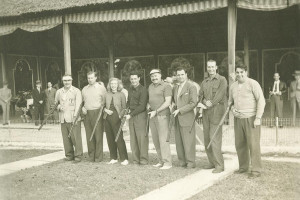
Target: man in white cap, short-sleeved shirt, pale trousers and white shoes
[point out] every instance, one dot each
(160, 96)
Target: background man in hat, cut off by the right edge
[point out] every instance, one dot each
(295, 94)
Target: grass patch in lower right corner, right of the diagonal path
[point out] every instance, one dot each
(279, 181)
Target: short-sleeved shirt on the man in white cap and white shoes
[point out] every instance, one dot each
(157, 95)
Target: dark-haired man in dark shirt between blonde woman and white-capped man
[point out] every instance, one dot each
(137, 102)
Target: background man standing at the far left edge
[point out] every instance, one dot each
(5, 96)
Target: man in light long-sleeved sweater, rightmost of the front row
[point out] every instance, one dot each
(248, 107)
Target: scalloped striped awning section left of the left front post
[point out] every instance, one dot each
(31, 25)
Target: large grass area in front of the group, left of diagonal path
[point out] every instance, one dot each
(86, 180)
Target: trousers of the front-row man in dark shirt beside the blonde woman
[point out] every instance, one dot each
(139, 140)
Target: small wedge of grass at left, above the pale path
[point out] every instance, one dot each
(11, 155)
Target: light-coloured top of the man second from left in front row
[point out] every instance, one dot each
(93, 96)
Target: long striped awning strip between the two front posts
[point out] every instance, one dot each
(144, 13)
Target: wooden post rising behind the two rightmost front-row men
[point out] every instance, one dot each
(232, 20)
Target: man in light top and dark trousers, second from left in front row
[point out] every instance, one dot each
(94, 98)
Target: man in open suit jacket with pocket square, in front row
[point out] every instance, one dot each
(185, 98)
